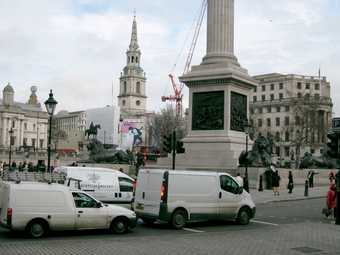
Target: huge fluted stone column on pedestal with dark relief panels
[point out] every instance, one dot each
(219, 92)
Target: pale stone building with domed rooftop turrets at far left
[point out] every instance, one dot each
(28, 123)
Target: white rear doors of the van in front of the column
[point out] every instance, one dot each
(148, 192)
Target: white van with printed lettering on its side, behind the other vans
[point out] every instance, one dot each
(106, 185)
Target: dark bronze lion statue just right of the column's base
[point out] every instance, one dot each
(260, 155)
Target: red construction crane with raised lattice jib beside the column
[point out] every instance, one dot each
(178, 87)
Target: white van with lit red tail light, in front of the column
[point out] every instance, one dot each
(181, 196)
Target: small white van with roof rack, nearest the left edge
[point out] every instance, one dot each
(41, 207)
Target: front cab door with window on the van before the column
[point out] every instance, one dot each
(229, 198)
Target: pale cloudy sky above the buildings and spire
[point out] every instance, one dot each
(77, 47)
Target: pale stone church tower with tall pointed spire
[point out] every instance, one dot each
(132, 97)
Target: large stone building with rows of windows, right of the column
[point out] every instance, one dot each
(295, 111)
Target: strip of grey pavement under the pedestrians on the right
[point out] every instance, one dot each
(267, 196)
